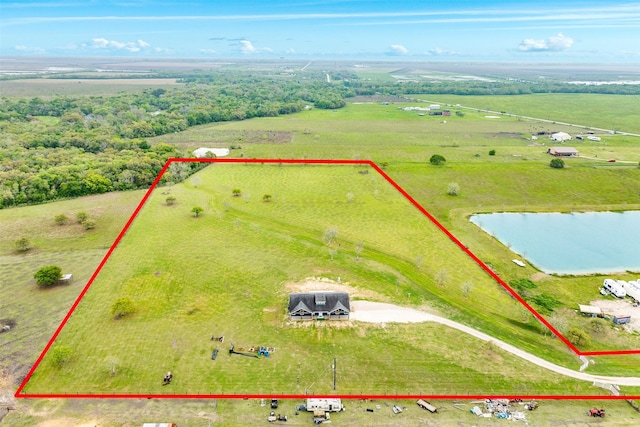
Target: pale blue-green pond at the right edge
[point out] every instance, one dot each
(569, 243)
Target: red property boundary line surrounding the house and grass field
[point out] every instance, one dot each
(20, 394)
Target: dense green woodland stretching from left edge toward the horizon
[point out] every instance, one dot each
(74, 146)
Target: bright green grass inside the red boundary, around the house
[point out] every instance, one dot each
(228, 272)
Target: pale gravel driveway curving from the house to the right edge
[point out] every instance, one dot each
(374, 312)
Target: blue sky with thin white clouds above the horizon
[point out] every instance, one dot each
(558, 31)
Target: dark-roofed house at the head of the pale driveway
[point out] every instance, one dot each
(319, 305)
